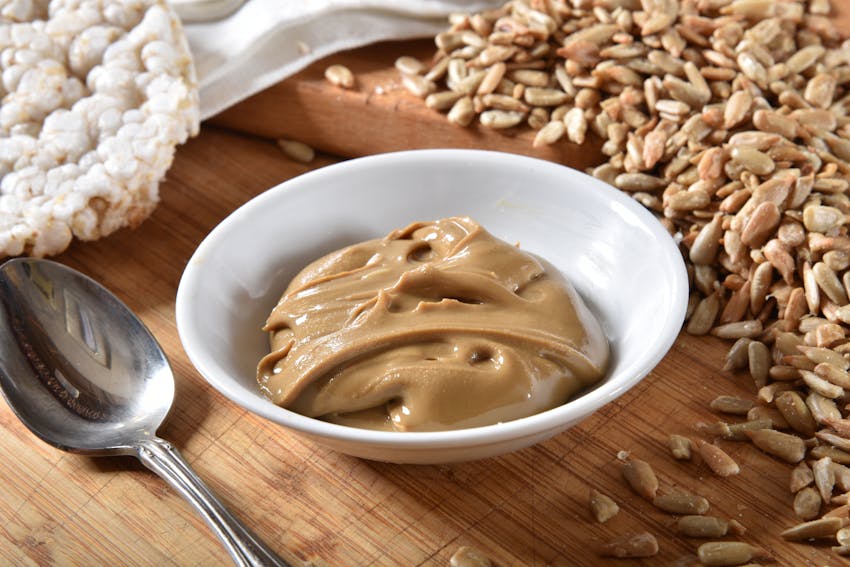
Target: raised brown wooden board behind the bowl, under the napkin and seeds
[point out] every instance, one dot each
(378, 115)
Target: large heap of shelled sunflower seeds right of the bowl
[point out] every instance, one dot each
(728, 119)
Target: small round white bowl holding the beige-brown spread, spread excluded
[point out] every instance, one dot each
(616, 254)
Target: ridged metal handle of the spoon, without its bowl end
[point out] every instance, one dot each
(246, 549)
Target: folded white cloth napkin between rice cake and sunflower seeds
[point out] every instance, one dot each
(266, 41)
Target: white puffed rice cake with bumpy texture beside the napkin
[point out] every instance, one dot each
(96, 95)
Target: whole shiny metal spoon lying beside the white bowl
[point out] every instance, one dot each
(86, 376)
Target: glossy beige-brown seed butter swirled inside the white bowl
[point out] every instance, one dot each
(436, 326)
